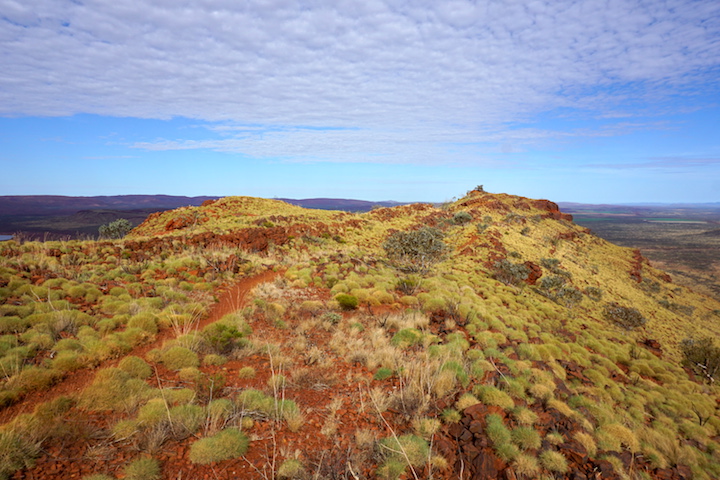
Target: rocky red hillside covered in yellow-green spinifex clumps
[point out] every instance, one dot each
(529, 349)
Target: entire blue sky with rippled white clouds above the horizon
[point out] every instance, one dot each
(595, 102)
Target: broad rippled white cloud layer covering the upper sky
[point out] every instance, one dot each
(427, 74)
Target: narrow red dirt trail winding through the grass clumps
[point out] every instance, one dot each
(230, 300)
